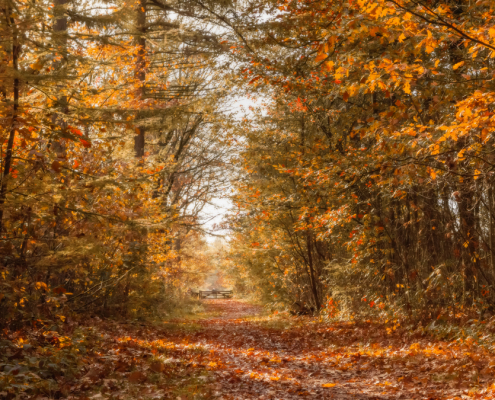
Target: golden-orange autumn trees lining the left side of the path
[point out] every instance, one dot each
(110, 149)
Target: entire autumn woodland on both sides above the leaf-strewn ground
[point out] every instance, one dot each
(361, 177)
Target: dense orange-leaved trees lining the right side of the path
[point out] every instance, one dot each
(373, 157)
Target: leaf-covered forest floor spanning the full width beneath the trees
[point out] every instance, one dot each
(234, 351)
